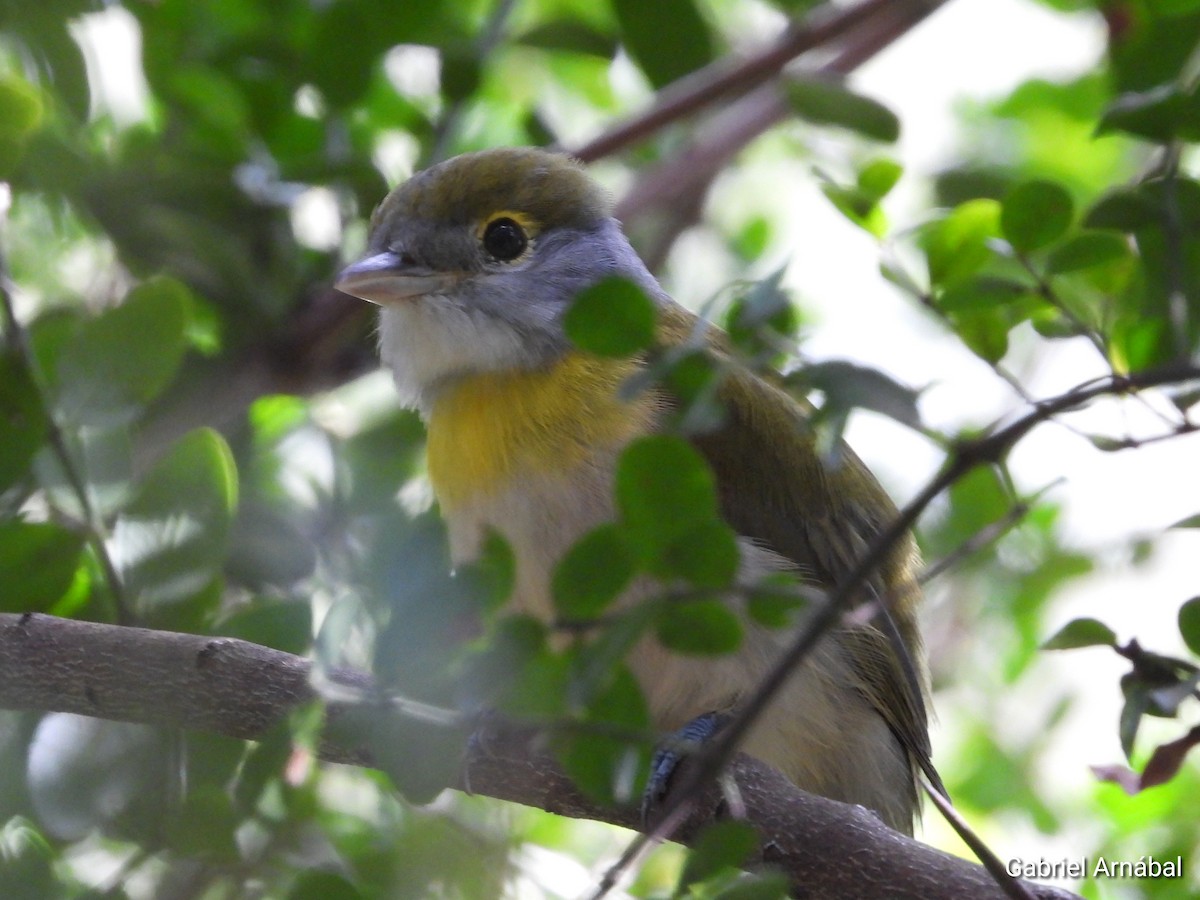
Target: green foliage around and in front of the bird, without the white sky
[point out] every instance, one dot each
(187, 442)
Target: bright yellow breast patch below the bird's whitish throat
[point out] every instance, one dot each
(489, 429)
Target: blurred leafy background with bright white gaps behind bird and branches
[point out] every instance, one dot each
(194, 437)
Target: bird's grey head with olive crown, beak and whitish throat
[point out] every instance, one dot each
(476, 260)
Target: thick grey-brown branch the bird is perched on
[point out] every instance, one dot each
(239, 689)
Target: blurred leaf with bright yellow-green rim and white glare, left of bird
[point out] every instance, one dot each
(171, 541)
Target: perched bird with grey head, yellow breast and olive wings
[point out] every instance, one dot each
(473, 263)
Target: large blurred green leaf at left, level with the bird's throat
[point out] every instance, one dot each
(123, 359)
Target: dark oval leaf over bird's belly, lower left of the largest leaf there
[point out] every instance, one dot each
(593, 573)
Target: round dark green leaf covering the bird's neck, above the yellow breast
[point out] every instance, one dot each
(611, 319)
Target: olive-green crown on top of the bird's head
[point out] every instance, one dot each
(551, 189)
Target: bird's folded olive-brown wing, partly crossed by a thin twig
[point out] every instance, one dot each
(776, 489)
